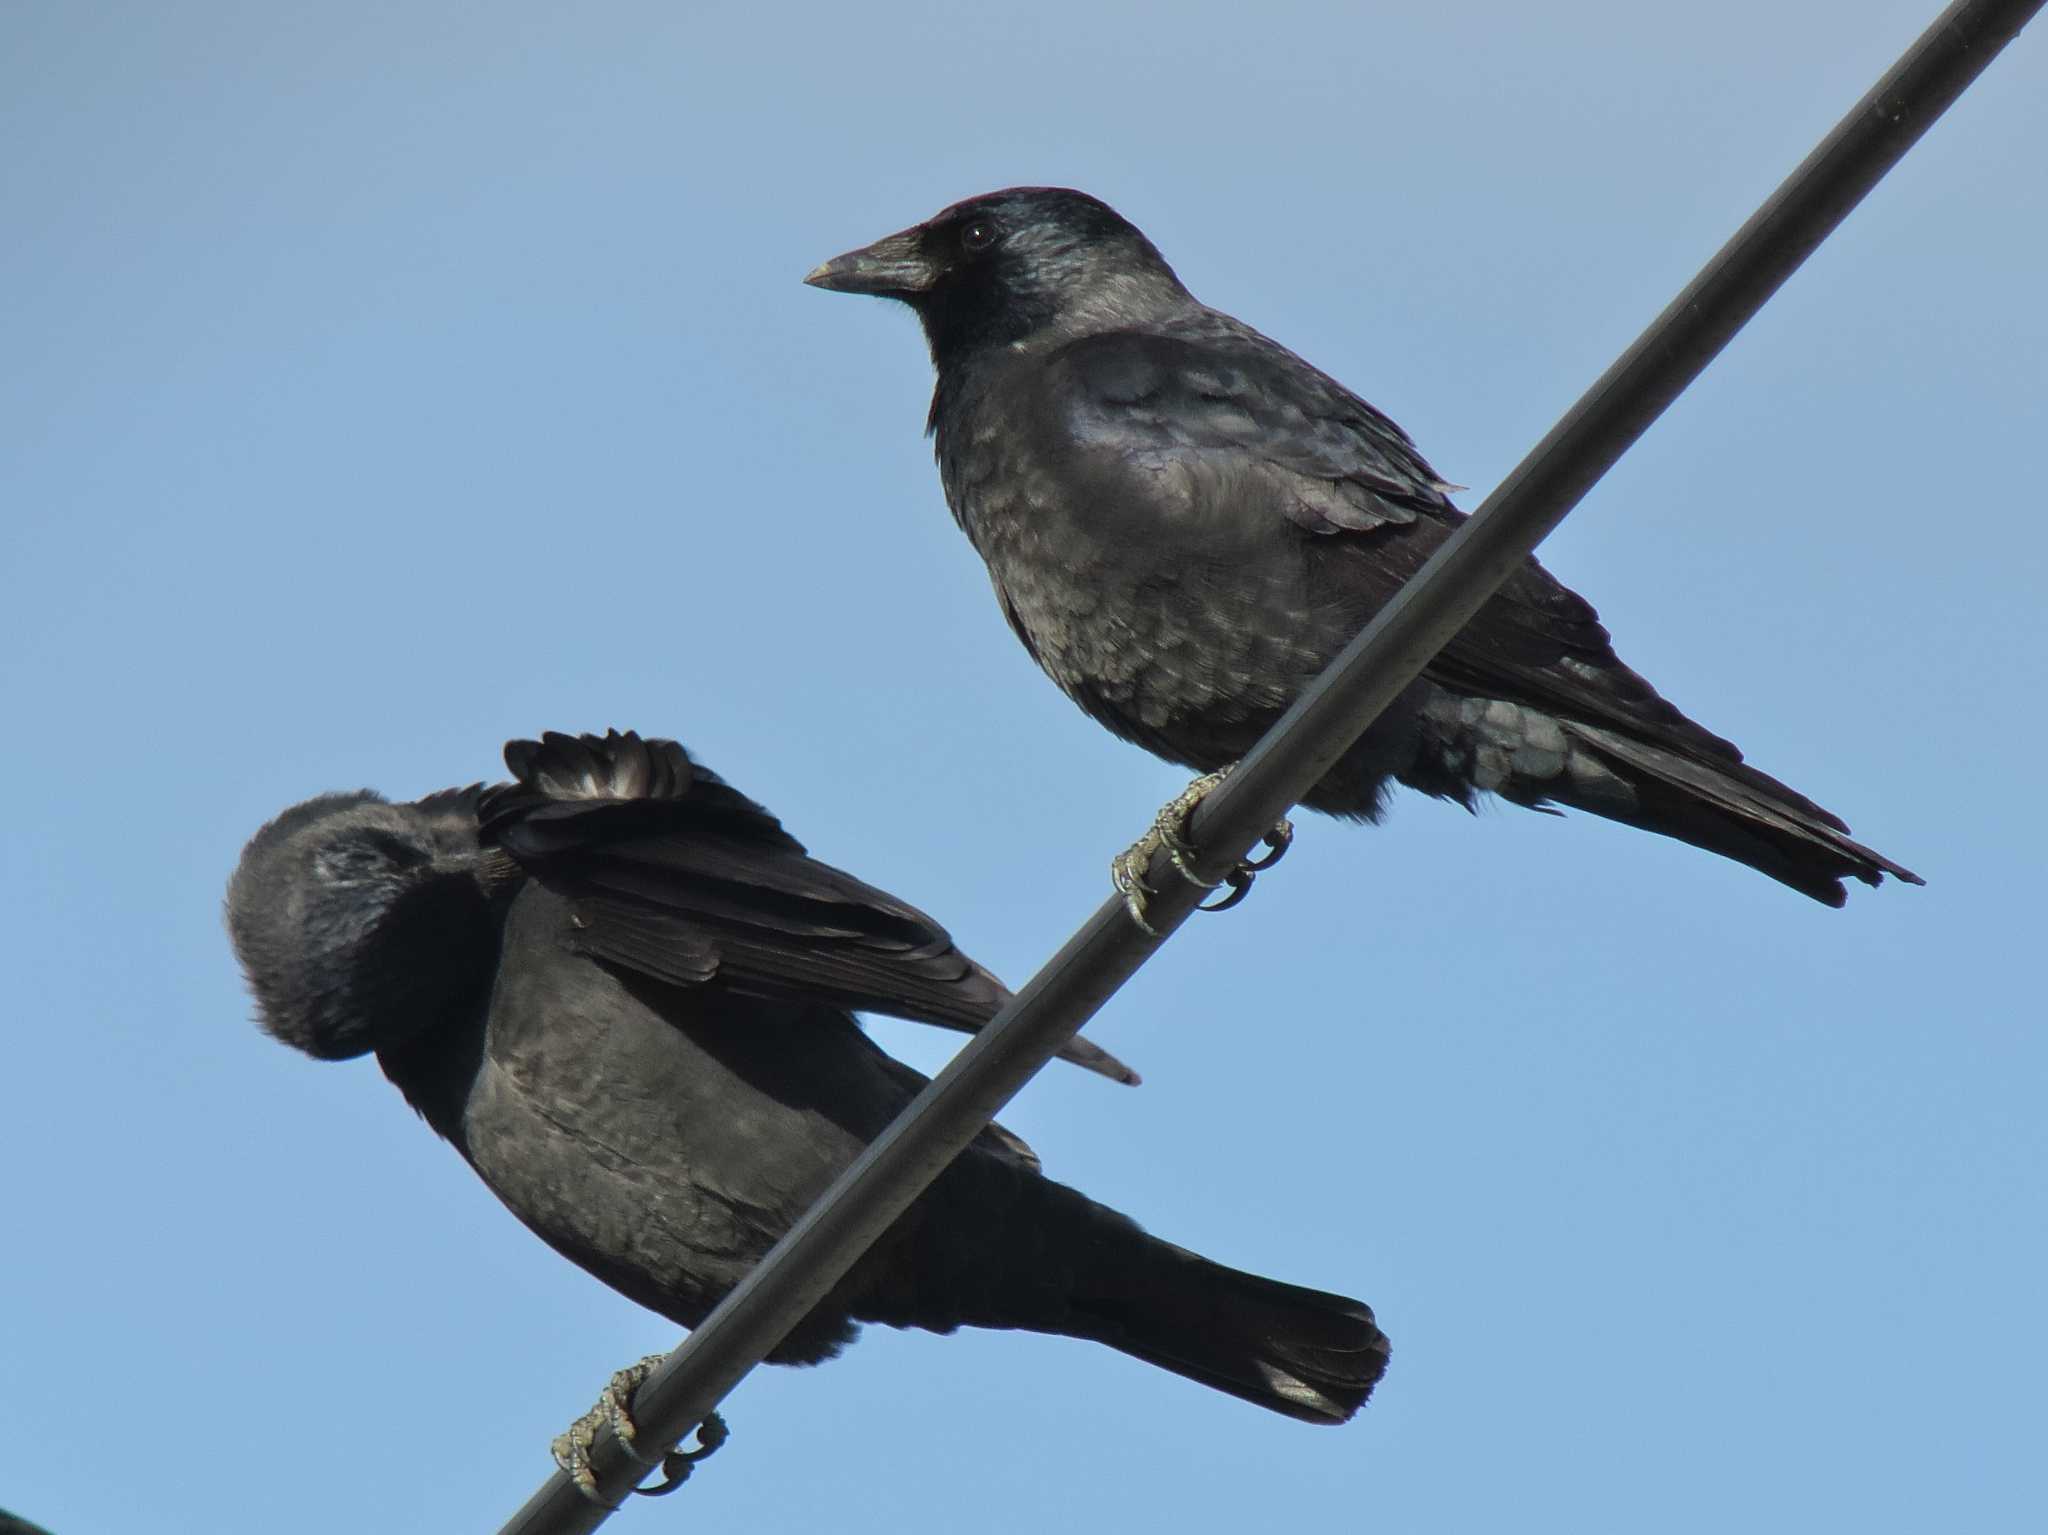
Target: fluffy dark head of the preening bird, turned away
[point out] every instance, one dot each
(359, 922)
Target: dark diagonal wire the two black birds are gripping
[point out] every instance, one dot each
(1295, 754)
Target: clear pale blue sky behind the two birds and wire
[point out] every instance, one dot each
(390, 380)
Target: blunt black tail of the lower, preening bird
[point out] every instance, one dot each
(1289, 1350)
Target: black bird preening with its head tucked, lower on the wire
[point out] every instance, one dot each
(624, 994)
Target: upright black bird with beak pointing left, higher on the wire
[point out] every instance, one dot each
(1185, 525)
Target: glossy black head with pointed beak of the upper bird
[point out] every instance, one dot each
(1013, 265)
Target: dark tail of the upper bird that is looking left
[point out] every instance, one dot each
(1725, 807)
